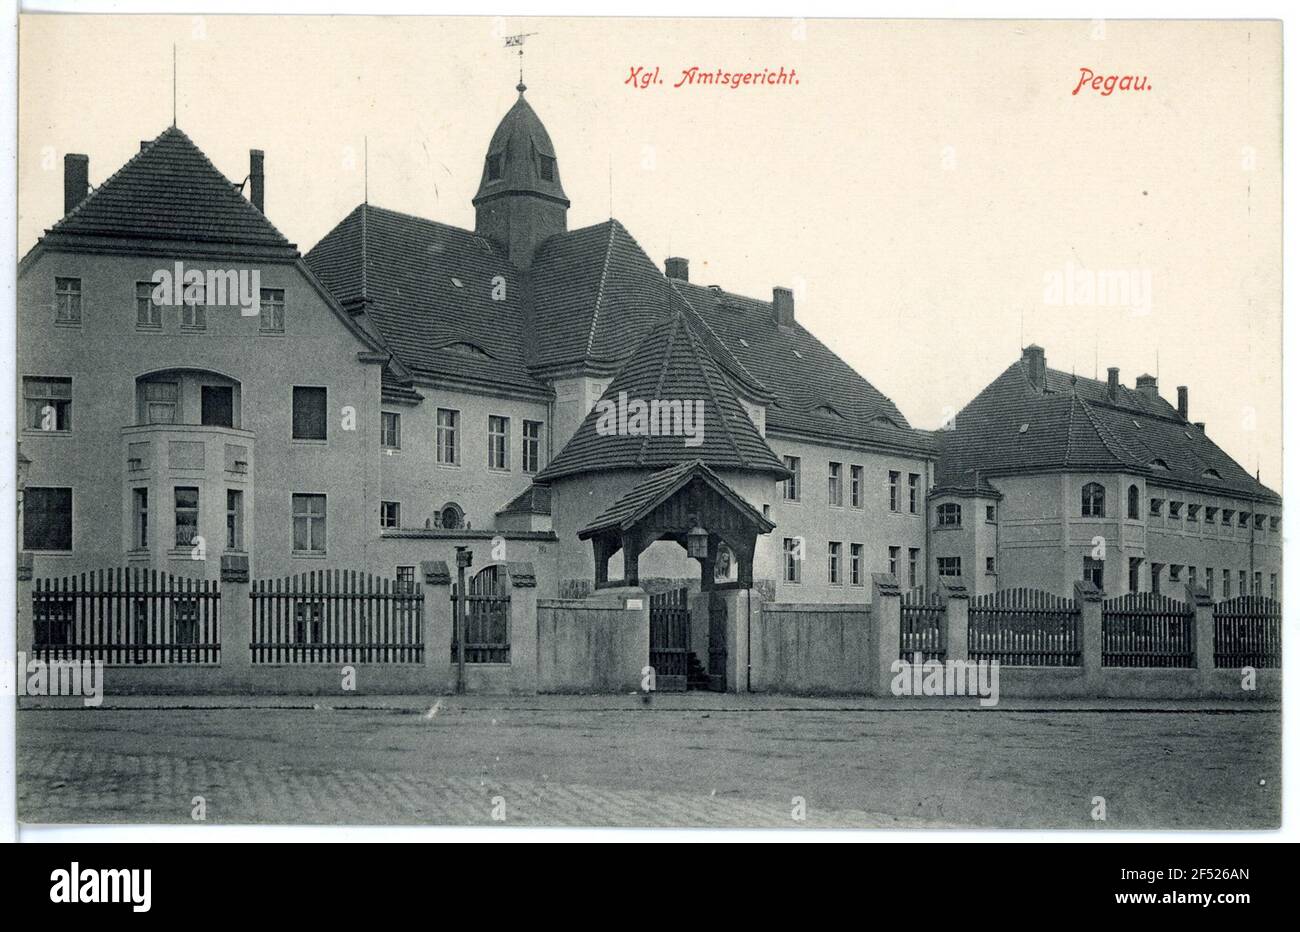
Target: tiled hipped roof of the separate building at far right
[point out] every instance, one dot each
(1073, 426)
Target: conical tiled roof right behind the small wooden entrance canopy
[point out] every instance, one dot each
(669, 366)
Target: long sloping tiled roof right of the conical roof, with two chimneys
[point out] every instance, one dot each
(817, 392)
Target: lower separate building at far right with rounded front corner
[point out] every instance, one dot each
(1048, 478)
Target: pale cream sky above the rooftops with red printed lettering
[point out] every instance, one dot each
(935, 193)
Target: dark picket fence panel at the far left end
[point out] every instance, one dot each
(129, 615)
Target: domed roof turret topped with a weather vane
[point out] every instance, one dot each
(521, 201)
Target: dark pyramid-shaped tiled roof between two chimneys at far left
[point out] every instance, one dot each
(168, 192)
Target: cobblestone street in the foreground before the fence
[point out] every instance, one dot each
(682, 761)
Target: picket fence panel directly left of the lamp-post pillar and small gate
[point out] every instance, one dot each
(336, 617)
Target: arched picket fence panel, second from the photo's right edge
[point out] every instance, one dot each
(1143, 630)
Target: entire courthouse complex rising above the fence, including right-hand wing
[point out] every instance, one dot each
(523, 389)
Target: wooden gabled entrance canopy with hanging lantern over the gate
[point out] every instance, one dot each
(669, 506)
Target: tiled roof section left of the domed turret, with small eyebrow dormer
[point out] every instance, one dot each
(448, 304)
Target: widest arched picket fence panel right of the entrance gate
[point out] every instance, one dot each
(1024, 628)
